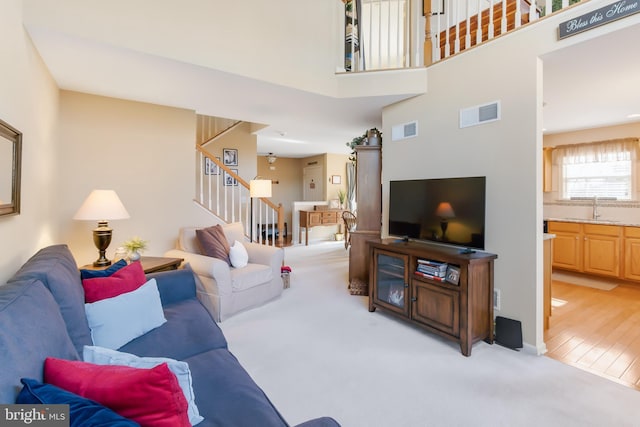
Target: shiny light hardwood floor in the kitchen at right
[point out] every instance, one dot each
(597, 330)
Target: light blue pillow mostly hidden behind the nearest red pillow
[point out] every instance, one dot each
(105, 356)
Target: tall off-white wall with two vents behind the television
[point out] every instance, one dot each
(507, 152)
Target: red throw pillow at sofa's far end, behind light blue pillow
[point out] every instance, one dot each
(125, 280)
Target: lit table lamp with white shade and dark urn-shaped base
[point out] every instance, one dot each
(102, 206)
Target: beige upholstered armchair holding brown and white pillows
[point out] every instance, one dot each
(225, 290)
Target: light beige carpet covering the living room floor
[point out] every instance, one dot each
(318, 351)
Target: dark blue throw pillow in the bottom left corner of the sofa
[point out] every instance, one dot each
(82, 412)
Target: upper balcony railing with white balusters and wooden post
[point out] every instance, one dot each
(392, 34)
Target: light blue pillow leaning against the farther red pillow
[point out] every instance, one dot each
(118, 320)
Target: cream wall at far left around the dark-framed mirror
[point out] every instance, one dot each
(28, 102)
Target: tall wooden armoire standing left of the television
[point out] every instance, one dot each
(369, 215)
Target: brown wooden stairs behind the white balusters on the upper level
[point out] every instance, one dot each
(470, 38)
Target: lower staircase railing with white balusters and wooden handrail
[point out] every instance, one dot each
(225, 194)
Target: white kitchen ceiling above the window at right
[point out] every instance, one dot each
(594, 83)
